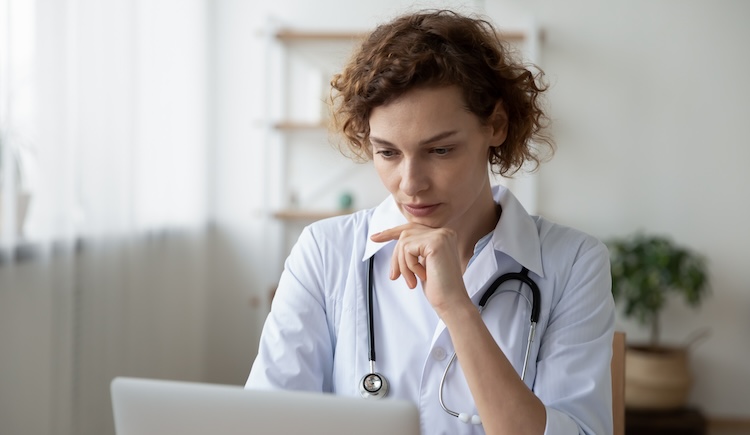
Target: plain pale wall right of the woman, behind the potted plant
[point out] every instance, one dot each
(653, 105)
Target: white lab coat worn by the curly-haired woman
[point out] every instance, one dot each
(316, 338)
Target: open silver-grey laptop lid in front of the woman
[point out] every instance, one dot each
(151, 407)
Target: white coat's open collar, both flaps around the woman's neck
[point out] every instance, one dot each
(516, 233)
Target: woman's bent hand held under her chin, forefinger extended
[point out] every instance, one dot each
(430, 255)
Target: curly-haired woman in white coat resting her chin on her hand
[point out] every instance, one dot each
(432, 98)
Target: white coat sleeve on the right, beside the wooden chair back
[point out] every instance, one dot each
(573, 368)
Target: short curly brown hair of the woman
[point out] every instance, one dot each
(443, 48)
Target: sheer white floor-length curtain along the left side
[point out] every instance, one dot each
(105, 132)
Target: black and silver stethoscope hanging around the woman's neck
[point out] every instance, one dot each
(375, 386)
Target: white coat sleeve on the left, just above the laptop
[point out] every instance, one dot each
(296, 345)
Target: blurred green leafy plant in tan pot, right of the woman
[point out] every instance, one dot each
(646, 269)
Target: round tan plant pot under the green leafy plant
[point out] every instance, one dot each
(656, 378)
